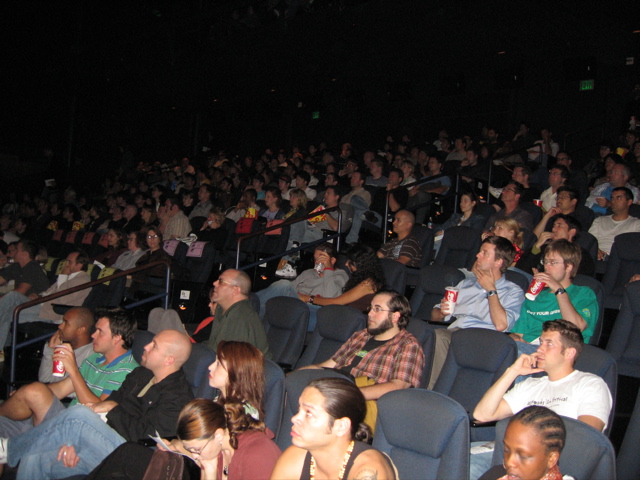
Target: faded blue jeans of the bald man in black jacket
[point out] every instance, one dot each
(37, 450)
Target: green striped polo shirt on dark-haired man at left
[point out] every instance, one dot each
(104, 379)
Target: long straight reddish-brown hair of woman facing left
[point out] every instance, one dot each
(245, 367)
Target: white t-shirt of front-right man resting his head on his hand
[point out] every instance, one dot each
(573, 396)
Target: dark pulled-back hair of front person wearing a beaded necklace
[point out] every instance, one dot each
(342, 399)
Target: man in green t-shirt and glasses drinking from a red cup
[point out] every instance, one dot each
(559, 299)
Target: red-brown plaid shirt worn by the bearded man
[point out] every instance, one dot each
(401, 358)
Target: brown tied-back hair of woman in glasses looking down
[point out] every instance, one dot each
(200, 418)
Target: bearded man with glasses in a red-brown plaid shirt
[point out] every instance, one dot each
(384, 352)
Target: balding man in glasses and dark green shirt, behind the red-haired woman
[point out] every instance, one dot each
(234, 316)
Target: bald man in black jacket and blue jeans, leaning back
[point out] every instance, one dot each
(149, 400)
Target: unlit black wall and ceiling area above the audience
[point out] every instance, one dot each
(163, 75)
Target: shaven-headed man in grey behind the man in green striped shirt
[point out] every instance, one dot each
(76, 328)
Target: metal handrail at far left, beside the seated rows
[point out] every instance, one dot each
(16, 312)
